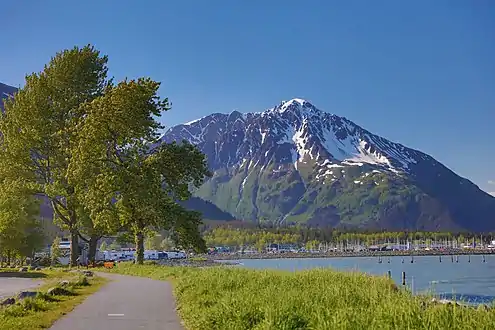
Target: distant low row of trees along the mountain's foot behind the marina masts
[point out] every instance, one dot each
(304, 236)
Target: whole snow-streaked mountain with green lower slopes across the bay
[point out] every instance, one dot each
(296, 163)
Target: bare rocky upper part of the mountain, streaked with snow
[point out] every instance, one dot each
(294, 131)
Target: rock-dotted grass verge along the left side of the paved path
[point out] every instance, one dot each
(43, 310)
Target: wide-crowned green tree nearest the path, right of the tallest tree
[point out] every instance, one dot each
(119, 176)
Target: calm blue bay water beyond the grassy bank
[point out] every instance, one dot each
(470, 281)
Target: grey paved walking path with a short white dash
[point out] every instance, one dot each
(125, 303)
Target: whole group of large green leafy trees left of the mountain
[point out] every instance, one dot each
(74, 138)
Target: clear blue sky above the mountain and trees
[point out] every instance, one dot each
(418, 72)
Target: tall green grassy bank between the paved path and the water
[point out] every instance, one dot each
(235, 298)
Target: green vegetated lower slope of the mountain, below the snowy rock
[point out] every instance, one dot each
(348, 196)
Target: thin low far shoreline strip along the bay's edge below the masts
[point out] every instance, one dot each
(289, 255)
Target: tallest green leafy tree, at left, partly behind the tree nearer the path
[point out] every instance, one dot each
(39, 129)
